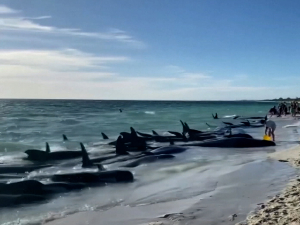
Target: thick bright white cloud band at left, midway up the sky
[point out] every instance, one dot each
(53, 60)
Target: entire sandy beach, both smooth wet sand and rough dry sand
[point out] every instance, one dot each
(247, 195)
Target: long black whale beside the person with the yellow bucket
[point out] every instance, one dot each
(236, 142)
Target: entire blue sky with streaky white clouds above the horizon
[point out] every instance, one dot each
(158, 49)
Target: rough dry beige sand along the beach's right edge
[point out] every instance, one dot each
(283, 209)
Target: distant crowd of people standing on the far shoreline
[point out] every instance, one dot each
(283, 109)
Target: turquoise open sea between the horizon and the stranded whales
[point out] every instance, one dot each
(37, 121)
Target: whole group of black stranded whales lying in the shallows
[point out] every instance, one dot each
(132, 149)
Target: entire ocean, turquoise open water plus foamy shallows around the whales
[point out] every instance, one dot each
(26, 124)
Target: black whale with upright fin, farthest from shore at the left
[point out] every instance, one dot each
(40, 155)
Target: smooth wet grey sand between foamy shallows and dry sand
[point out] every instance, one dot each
(235, 195)
